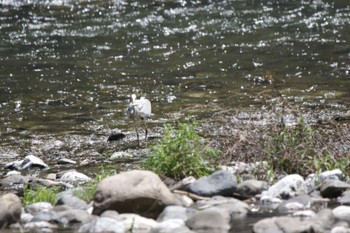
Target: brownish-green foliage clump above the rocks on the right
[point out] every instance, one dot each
(294, 150)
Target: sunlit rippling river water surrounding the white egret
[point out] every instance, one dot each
(68, 68)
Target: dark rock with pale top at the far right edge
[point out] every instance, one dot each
(333, 188)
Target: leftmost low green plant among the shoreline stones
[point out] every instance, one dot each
(38, 193)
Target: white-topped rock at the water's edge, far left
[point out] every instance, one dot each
(28, 163)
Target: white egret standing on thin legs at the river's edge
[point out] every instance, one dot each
(139, 110)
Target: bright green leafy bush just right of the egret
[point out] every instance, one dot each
(181, 153)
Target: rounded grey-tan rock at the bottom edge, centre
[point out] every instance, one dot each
(208, 221)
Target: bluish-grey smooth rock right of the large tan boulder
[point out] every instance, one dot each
(221, 183)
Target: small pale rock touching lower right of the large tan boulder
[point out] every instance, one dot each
(176, 212)
